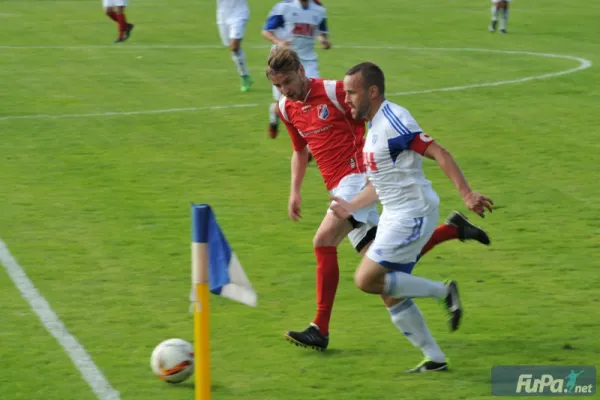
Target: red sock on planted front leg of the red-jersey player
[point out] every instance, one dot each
(328, 276)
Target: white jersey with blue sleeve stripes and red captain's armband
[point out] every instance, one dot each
(393, 156)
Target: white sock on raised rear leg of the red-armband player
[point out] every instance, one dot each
(400, 284)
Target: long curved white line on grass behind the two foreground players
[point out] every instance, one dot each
(583, 64)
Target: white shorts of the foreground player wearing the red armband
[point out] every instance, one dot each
(400, 239)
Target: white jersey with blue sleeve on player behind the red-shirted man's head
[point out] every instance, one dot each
(289, 20)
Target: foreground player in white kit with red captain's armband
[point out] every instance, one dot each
(393, 154)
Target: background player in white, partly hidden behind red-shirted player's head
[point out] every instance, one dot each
(297, 24)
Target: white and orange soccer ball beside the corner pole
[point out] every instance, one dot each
(173, 360)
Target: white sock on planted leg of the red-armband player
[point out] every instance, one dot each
(407, 317)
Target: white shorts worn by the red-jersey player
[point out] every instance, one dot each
(348, 188)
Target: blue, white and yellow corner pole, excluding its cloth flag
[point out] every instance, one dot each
(200, 220)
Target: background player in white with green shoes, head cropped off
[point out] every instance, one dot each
(232, 17)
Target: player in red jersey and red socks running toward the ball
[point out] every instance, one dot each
(316, 115)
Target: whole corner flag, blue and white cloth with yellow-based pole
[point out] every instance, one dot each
(216, 268)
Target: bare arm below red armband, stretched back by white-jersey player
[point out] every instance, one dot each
(474, 201)
